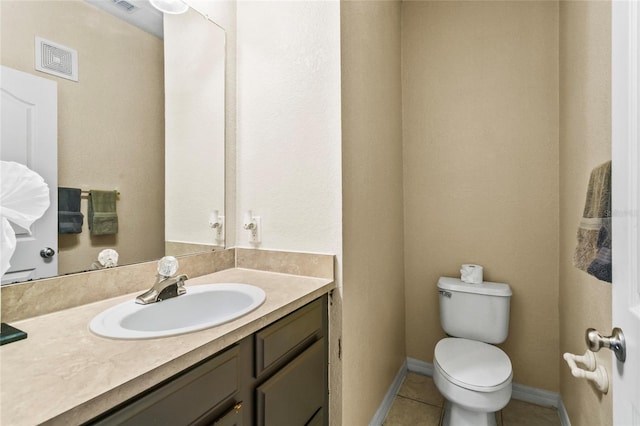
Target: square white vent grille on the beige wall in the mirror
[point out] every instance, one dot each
(56, 59)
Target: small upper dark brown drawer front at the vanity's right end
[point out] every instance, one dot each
(281, 341)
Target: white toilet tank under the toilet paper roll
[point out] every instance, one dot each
(474, 311)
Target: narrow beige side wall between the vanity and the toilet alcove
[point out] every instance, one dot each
(373, 335)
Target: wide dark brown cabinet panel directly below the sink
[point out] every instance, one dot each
(186, 398)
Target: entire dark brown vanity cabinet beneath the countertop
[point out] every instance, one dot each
(276, 377)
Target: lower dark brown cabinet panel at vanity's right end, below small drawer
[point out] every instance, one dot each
(293, 396)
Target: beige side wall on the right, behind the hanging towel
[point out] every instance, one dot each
(585, 142)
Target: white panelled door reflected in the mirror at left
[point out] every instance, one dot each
(29, 130)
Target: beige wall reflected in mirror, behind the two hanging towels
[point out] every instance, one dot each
(103, 141)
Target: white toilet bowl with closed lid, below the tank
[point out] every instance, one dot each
(474, 377)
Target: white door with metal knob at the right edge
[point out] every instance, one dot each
(626, 205)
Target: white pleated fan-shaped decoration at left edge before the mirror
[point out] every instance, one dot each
(24, 197)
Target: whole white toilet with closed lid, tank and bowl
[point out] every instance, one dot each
(473, 375)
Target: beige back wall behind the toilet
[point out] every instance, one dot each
(480, 129)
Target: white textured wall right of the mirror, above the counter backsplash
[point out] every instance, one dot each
(288, 134)
